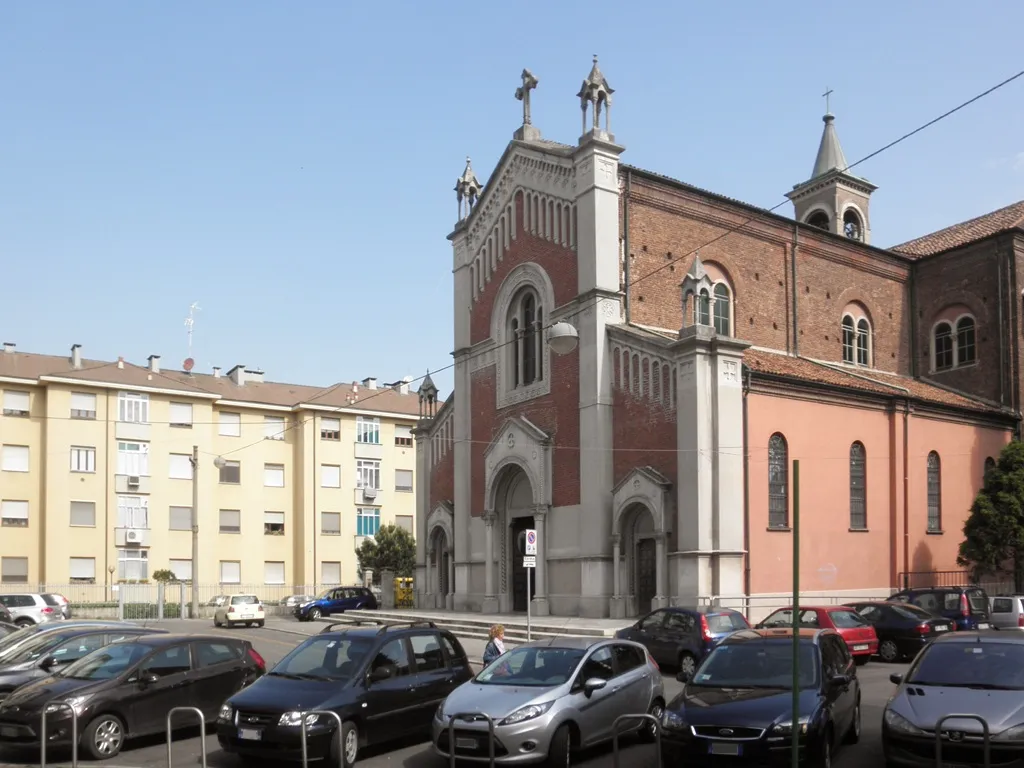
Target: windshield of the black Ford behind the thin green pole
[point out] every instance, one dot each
(758, 665)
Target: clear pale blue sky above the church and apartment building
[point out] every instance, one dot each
(290, 166)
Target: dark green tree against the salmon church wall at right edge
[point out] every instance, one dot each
(994, 534)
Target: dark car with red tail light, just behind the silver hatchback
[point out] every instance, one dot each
(682, 637)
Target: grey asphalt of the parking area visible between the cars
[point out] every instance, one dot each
(280, 636)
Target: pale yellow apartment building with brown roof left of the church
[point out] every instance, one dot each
(97, 474)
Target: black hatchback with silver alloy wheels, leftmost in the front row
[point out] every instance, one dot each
(126, 690)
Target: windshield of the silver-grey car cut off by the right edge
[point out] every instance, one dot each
(987, 666)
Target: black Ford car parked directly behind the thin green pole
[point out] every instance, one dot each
(738, 707)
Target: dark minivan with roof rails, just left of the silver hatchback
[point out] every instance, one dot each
(383, 681)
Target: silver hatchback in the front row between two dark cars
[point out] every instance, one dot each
(550, 698)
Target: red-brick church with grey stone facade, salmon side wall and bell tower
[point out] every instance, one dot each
(638, 363)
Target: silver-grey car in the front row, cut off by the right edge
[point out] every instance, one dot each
(963, 672)
